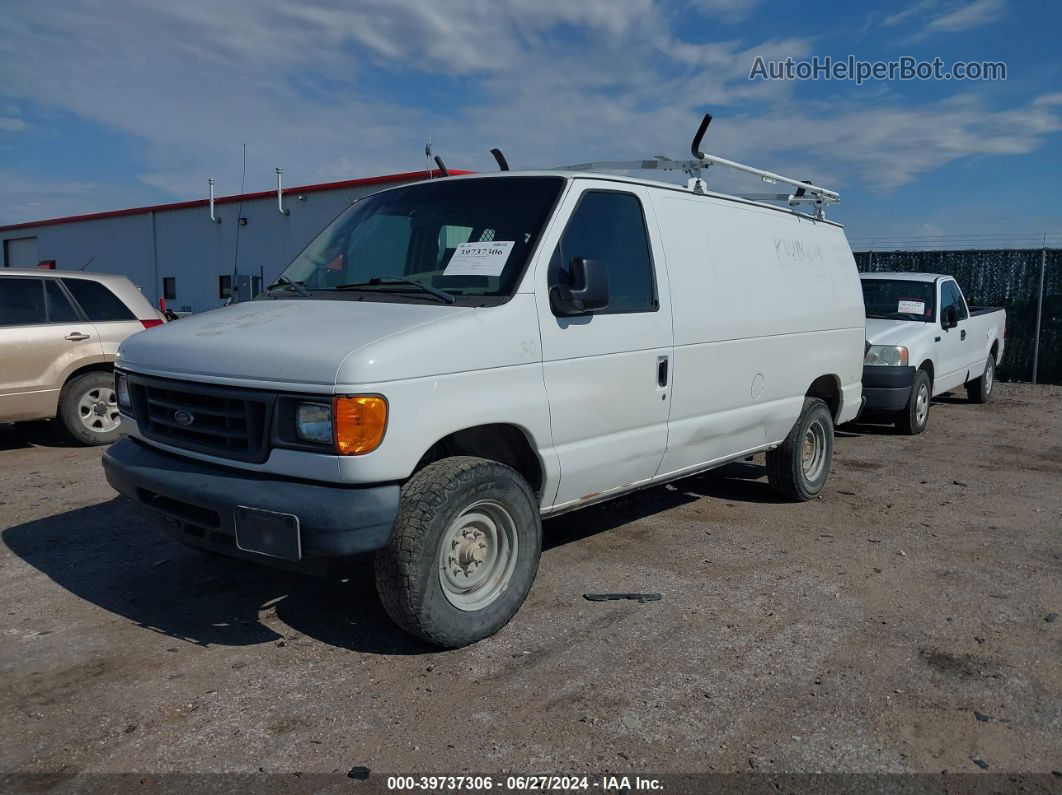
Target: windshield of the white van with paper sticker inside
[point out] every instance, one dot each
(466, 239)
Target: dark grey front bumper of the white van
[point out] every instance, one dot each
(197, 504)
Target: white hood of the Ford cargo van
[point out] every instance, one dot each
(287, 341)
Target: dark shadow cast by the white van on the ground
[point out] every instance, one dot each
(113, 557)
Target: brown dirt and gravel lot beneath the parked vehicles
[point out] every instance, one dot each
(903, 623)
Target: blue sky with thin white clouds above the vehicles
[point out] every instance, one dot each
(107, 105)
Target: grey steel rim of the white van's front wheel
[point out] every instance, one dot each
(477, 556)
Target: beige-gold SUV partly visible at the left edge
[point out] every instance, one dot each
(59, 336)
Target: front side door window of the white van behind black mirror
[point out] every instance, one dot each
(609, 227)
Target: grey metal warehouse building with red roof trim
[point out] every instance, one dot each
(177, 252)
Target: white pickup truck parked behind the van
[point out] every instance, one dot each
(924, 340)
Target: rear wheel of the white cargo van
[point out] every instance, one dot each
(799, 466)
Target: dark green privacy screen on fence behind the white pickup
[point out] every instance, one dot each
(1000, 279)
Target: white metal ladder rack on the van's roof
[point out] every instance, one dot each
(806, 193)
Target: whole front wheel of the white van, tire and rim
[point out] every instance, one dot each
(464, 554)
